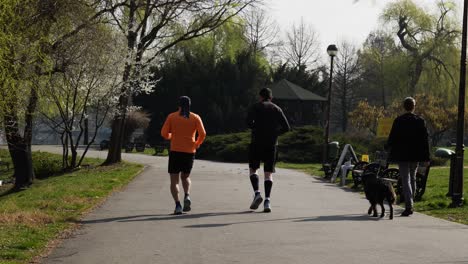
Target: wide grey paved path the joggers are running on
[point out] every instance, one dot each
(311, 222)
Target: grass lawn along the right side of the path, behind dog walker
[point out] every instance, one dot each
(434, 202)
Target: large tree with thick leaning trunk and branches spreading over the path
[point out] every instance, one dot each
(151, 28)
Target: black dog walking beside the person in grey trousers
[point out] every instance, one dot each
(377, 190)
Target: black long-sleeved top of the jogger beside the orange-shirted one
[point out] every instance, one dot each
(267, 122)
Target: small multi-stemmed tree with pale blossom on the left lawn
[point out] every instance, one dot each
(84, 92)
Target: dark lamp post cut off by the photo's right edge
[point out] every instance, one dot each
(457, 194)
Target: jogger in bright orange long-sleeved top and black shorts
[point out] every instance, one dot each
(180, 128)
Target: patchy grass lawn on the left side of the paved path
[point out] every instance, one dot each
(31, 219)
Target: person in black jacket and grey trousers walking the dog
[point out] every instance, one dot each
(409, 144)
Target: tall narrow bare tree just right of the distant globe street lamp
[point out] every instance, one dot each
(346, 79)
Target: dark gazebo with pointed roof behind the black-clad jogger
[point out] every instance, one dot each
(300, 106)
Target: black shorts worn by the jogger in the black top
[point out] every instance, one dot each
(259, 153)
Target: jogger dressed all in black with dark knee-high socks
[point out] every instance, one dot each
(267, 122)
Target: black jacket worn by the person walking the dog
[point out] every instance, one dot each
(408, 140)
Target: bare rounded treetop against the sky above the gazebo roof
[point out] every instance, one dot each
(301, 47)
